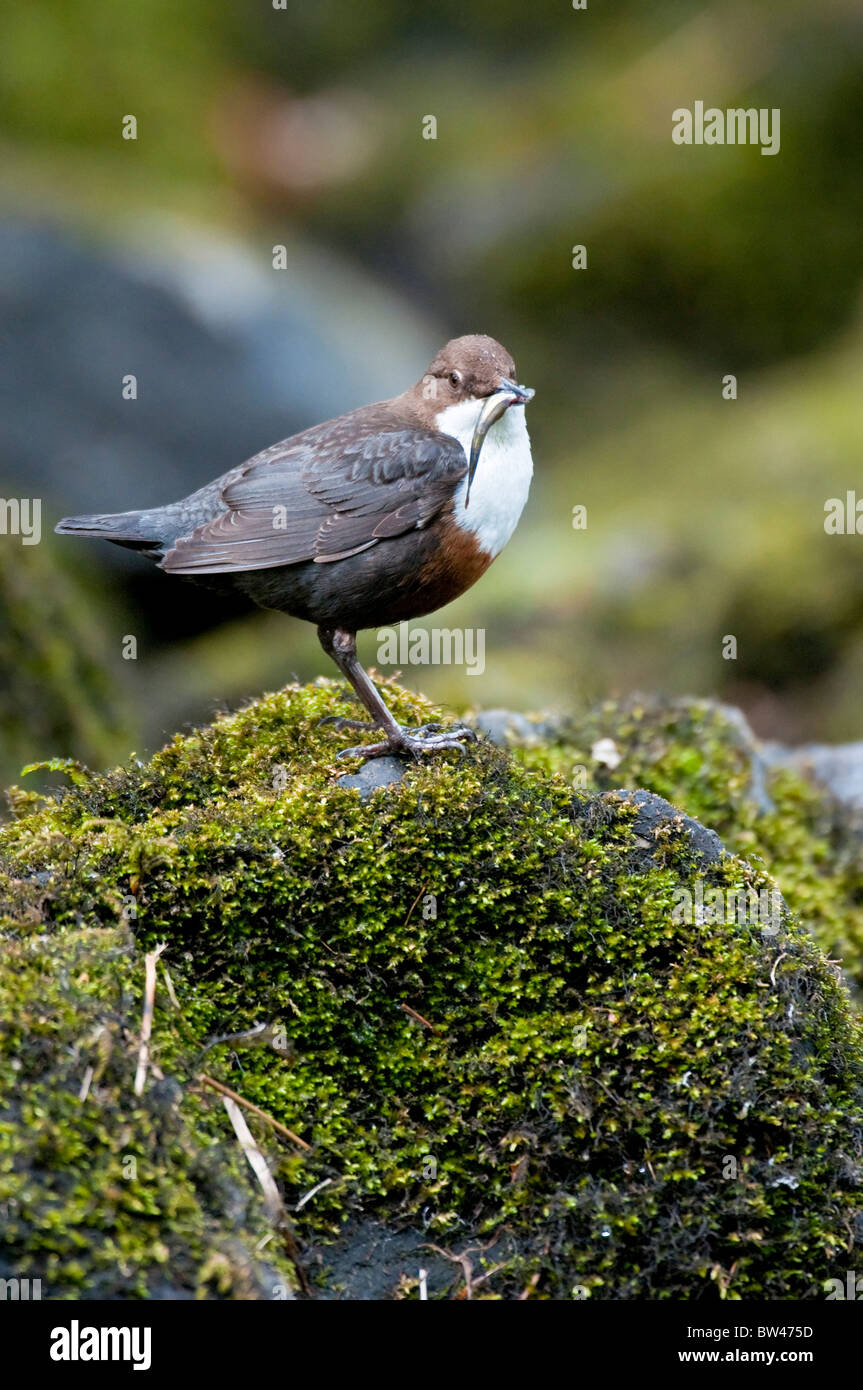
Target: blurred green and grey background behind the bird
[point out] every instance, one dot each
(304, 127)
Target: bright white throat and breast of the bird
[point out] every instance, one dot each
(504, 475)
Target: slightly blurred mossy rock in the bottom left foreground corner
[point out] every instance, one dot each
(105, 1195)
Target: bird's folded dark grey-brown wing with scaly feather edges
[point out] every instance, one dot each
(323, 500)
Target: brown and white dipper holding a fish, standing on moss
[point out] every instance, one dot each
(377, 516)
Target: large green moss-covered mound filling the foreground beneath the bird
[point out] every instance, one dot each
(498, 1031)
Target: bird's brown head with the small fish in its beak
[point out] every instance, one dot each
(473, 370)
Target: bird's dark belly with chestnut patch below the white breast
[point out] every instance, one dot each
(400, 579)
